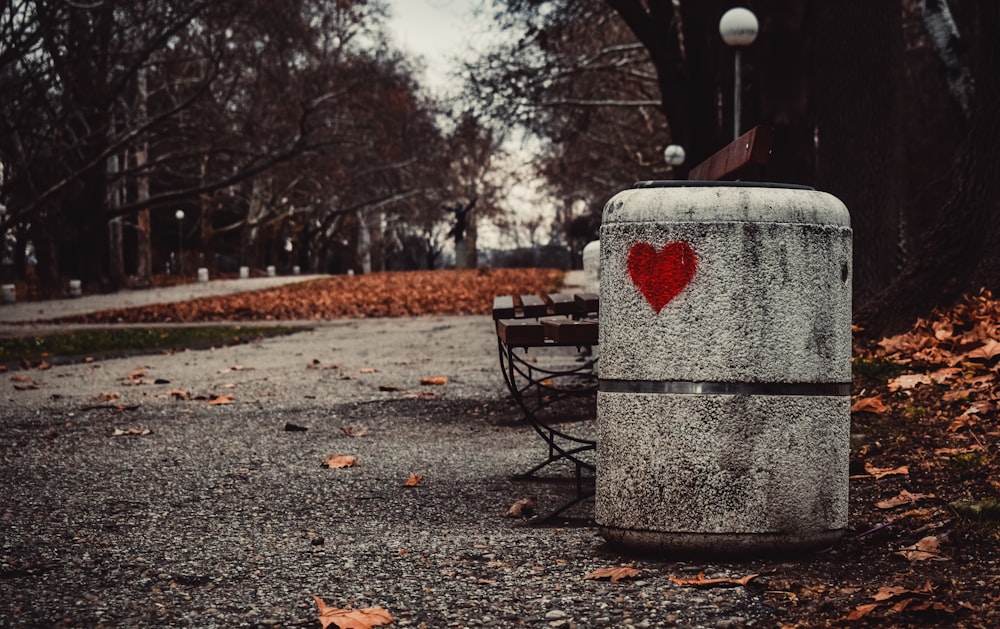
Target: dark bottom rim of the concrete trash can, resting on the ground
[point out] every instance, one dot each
(718, 544)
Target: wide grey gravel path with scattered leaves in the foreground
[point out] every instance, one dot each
(222, 517)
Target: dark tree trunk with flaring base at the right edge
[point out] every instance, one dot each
(958, 255)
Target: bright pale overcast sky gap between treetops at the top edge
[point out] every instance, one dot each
(438, 30)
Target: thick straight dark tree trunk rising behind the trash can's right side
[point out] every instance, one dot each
(858, 46)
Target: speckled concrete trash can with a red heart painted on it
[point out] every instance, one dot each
(724, 398)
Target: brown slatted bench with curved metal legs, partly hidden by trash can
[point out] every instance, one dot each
(531, 323)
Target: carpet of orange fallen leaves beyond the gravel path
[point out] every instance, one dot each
(395, 294)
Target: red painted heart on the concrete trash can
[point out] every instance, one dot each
(661, 275)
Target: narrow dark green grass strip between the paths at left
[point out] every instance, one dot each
(67, 346)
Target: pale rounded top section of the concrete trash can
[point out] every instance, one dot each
(724, 202)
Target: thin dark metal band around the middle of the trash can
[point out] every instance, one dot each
(820, 389)
